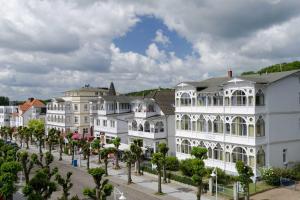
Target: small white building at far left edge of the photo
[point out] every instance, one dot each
(6, 117)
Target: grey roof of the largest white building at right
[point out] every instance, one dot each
(215, 84)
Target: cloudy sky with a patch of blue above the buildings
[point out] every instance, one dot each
(49, 46)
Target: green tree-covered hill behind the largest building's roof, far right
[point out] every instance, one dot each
(276, 68)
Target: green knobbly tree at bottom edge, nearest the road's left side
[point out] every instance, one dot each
(103, 189)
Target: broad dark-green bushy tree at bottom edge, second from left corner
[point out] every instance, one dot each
(40, 187)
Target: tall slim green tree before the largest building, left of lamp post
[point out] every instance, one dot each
(198, 168)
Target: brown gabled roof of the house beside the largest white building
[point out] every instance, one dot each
(165, 100)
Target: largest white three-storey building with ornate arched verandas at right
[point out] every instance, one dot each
(253, 118)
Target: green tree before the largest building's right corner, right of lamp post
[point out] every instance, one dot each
(245, 173)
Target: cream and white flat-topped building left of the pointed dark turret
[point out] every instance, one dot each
(71, 112)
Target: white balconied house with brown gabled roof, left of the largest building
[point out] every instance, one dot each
(153, 121)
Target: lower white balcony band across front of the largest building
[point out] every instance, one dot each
(219, 137)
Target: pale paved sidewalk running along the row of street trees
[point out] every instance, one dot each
(141, 183)
